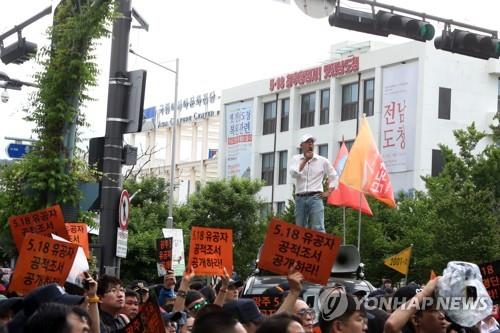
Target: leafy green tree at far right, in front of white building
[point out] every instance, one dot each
(465, 199)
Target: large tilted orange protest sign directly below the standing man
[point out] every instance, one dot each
(285, 244)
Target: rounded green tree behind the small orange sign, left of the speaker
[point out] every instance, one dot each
(228, 204)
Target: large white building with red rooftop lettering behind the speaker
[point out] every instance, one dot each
(413, 96)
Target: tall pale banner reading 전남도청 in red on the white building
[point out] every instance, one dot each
(398, 118)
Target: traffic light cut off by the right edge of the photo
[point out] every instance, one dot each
(468, 43)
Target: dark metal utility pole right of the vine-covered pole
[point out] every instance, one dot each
(116, 119)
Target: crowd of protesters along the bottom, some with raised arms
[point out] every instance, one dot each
(190, 305)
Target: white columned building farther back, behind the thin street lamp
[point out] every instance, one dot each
(196, 142)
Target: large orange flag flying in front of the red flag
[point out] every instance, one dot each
(365, 171)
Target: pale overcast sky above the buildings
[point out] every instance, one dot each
(220, 44)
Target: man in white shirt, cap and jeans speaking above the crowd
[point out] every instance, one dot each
(309, 170)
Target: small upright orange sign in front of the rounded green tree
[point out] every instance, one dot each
(210, 250)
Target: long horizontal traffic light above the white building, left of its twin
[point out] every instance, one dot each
(382, 23)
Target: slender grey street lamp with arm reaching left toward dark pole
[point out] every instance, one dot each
(170, 219)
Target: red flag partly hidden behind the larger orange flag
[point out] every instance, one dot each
(344, 195)
